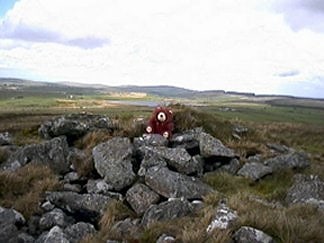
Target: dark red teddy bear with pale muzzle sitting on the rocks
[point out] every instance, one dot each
(161, 122)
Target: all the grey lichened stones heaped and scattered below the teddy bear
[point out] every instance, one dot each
(158, 179)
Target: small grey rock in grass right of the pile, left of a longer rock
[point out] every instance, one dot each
(254, 171)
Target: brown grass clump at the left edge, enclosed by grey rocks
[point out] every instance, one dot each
(24, 189)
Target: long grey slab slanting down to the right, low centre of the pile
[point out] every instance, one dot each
(171, 184)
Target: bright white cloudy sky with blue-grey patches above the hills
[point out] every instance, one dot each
(261, 46)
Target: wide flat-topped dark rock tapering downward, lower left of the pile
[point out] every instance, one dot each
(90, 206)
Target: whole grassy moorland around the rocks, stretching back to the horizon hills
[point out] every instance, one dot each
(256, 127)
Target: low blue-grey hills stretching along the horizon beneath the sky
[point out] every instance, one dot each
(28, 87)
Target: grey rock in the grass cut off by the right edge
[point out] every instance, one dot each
(306, 190)
